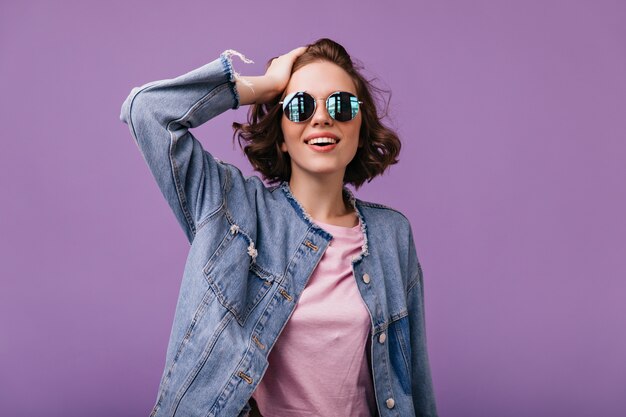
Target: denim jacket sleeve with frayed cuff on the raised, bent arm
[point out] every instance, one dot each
(160, 114)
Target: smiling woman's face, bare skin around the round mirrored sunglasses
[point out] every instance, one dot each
(320, 79)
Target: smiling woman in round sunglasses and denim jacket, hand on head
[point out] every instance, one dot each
(337, 278)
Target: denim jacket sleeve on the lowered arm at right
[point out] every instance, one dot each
(421, 381)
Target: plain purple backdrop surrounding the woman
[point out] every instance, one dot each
(512, 173)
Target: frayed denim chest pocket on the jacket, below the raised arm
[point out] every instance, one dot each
(233, 274)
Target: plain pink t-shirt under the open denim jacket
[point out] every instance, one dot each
(319, 364)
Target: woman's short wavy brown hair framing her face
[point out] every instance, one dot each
(263, 134)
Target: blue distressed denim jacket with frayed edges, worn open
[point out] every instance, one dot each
(253, 249)
